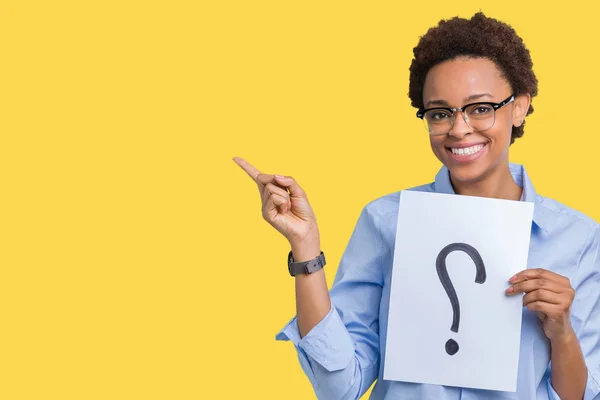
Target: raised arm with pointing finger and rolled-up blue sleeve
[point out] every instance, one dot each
(338, 343)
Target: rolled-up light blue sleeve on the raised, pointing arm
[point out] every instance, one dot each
(340, 355)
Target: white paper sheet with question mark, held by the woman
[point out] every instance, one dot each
(421, 313)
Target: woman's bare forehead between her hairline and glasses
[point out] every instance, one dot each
(456, 79)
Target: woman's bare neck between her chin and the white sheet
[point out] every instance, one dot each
(497, 184)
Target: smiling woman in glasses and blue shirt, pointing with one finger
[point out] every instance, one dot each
(472, 81)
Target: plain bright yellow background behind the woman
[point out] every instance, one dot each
(134, 261)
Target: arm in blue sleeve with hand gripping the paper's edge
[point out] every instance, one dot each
(570, 312)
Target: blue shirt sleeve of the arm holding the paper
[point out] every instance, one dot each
(585, 315)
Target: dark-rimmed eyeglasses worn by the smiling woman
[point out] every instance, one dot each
(479, 116)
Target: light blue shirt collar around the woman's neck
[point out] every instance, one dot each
(443, 185)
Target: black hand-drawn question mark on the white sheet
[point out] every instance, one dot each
(440, 265)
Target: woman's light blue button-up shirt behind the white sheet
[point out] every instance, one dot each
(343, 354)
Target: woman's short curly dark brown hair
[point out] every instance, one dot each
(479, 36)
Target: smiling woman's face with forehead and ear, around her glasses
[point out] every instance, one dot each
(471, 155)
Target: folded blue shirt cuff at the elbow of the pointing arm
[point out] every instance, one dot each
(328, 343)
